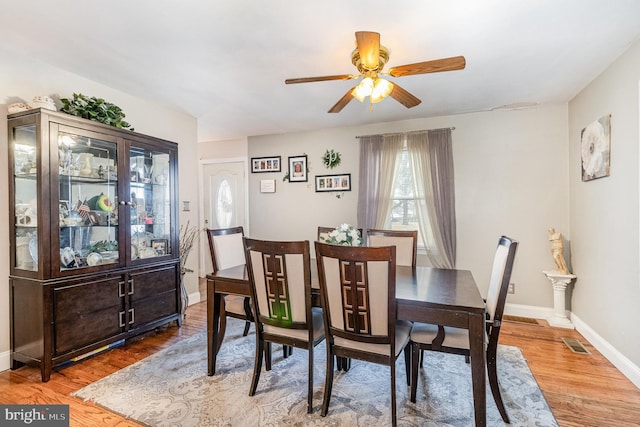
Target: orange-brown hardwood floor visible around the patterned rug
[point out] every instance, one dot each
(582, 390)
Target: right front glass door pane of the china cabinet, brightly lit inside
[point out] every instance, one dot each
(150, 203)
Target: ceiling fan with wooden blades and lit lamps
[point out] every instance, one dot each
(369, 57)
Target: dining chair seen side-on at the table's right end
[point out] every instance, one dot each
(454, 340)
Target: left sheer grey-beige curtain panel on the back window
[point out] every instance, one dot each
(378, 157)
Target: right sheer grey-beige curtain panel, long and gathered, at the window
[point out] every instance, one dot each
(431, 157)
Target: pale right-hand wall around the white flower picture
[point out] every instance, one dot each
(604, 212)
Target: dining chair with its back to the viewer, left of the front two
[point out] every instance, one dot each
(280, 278)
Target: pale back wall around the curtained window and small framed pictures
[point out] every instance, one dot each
(511, 178)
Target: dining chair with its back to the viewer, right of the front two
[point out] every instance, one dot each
(358, 294)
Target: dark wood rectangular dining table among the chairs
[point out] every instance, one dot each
(447, 297)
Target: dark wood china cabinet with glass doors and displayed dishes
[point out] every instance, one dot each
(93, 234)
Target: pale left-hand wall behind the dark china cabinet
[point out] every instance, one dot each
(23, 77)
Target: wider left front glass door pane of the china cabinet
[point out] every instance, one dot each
(87, 201)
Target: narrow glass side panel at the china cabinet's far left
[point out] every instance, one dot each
(25, 197)
